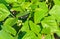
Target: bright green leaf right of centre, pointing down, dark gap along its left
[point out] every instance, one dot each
(38, 15)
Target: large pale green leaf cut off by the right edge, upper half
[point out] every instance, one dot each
(55, 11)
